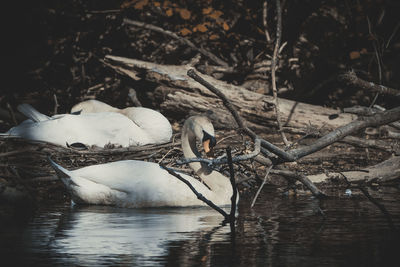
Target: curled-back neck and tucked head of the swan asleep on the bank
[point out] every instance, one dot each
(150, 121)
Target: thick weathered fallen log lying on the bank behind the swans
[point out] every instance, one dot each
(181, 94)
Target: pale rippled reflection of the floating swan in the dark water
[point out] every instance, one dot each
(86, 235)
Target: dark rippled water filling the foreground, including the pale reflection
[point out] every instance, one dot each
(278, 231)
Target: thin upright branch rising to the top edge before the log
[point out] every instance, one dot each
(273, 66)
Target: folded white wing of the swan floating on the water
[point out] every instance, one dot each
(146, 183)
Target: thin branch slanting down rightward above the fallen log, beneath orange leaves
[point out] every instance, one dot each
(181, 39)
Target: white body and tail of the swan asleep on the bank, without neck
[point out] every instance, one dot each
(97, 129)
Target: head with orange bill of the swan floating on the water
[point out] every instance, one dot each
(203, 129)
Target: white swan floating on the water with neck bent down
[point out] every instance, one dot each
(134, 184)
